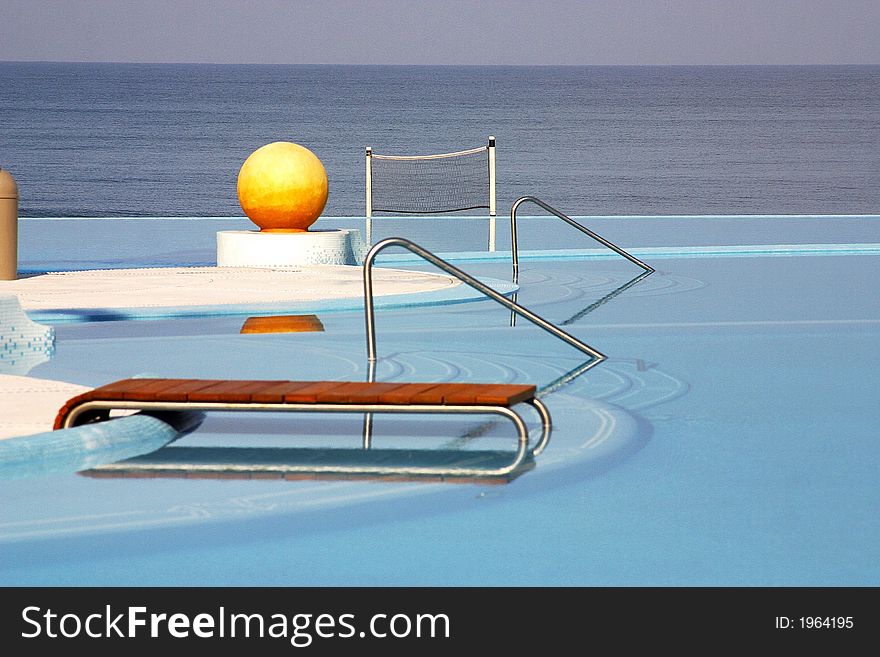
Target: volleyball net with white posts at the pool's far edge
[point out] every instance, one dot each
(430, 184)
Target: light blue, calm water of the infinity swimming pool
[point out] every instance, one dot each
(729, 439)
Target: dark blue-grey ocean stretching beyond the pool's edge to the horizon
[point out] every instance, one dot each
(139, 140)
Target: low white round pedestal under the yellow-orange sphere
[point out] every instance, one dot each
(253, 248)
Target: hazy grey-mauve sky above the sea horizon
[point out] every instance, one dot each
(519, 32)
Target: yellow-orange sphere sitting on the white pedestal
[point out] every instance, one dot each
(282, 186)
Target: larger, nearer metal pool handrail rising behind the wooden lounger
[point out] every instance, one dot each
(465, 278)
